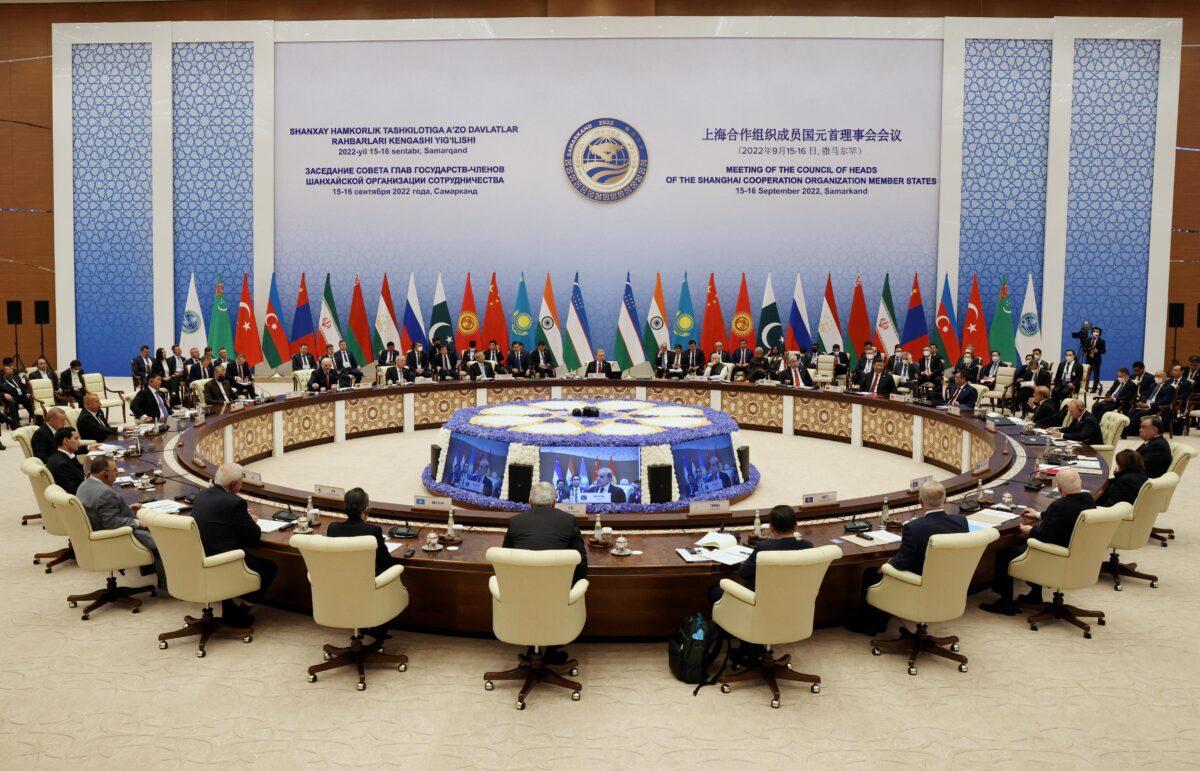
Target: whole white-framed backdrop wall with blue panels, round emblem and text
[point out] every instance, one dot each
(861, 147)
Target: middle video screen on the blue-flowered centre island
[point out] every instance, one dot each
(593, 475)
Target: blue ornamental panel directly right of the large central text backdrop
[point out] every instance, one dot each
(1006, 135)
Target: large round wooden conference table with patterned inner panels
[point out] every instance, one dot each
(643, 596)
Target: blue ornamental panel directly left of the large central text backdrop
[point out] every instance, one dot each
(214, 170)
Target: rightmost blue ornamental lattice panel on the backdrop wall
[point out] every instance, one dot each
(1114, 112)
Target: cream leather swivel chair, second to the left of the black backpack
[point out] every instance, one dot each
(349, 595)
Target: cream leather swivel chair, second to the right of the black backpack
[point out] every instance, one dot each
(938, 594)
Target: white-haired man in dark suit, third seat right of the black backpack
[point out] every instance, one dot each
(1057, 525)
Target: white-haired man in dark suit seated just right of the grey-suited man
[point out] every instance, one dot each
(225, 524)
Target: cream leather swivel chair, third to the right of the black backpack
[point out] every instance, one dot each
(1066, 569)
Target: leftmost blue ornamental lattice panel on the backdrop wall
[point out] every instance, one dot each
(112, 193)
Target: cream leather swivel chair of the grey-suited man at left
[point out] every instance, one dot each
(100, 552)
